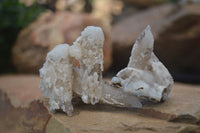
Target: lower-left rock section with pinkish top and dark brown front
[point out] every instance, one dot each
(18, 112)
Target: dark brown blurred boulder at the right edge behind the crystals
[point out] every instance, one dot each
(178, 45)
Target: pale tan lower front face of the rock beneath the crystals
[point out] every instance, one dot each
(92, 121)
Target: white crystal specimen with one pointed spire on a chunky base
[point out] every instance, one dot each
(145, 75)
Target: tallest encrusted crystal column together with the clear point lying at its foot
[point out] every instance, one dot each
(89, 76)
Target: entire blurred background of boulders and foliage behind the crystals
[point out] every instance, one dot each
(31, 28)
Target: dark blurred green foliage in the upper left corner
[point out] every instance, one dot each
(13, 17)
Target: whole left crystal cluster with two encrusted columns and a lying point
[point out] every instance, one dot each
(61, 81)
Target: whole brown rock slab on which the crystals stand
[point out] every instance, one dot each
(24, 117)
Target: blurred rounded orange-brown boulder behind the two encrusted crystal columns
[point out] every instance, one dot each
(51, 29)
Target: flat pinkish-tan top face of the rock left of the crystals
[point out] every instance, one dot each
(20, 88)
